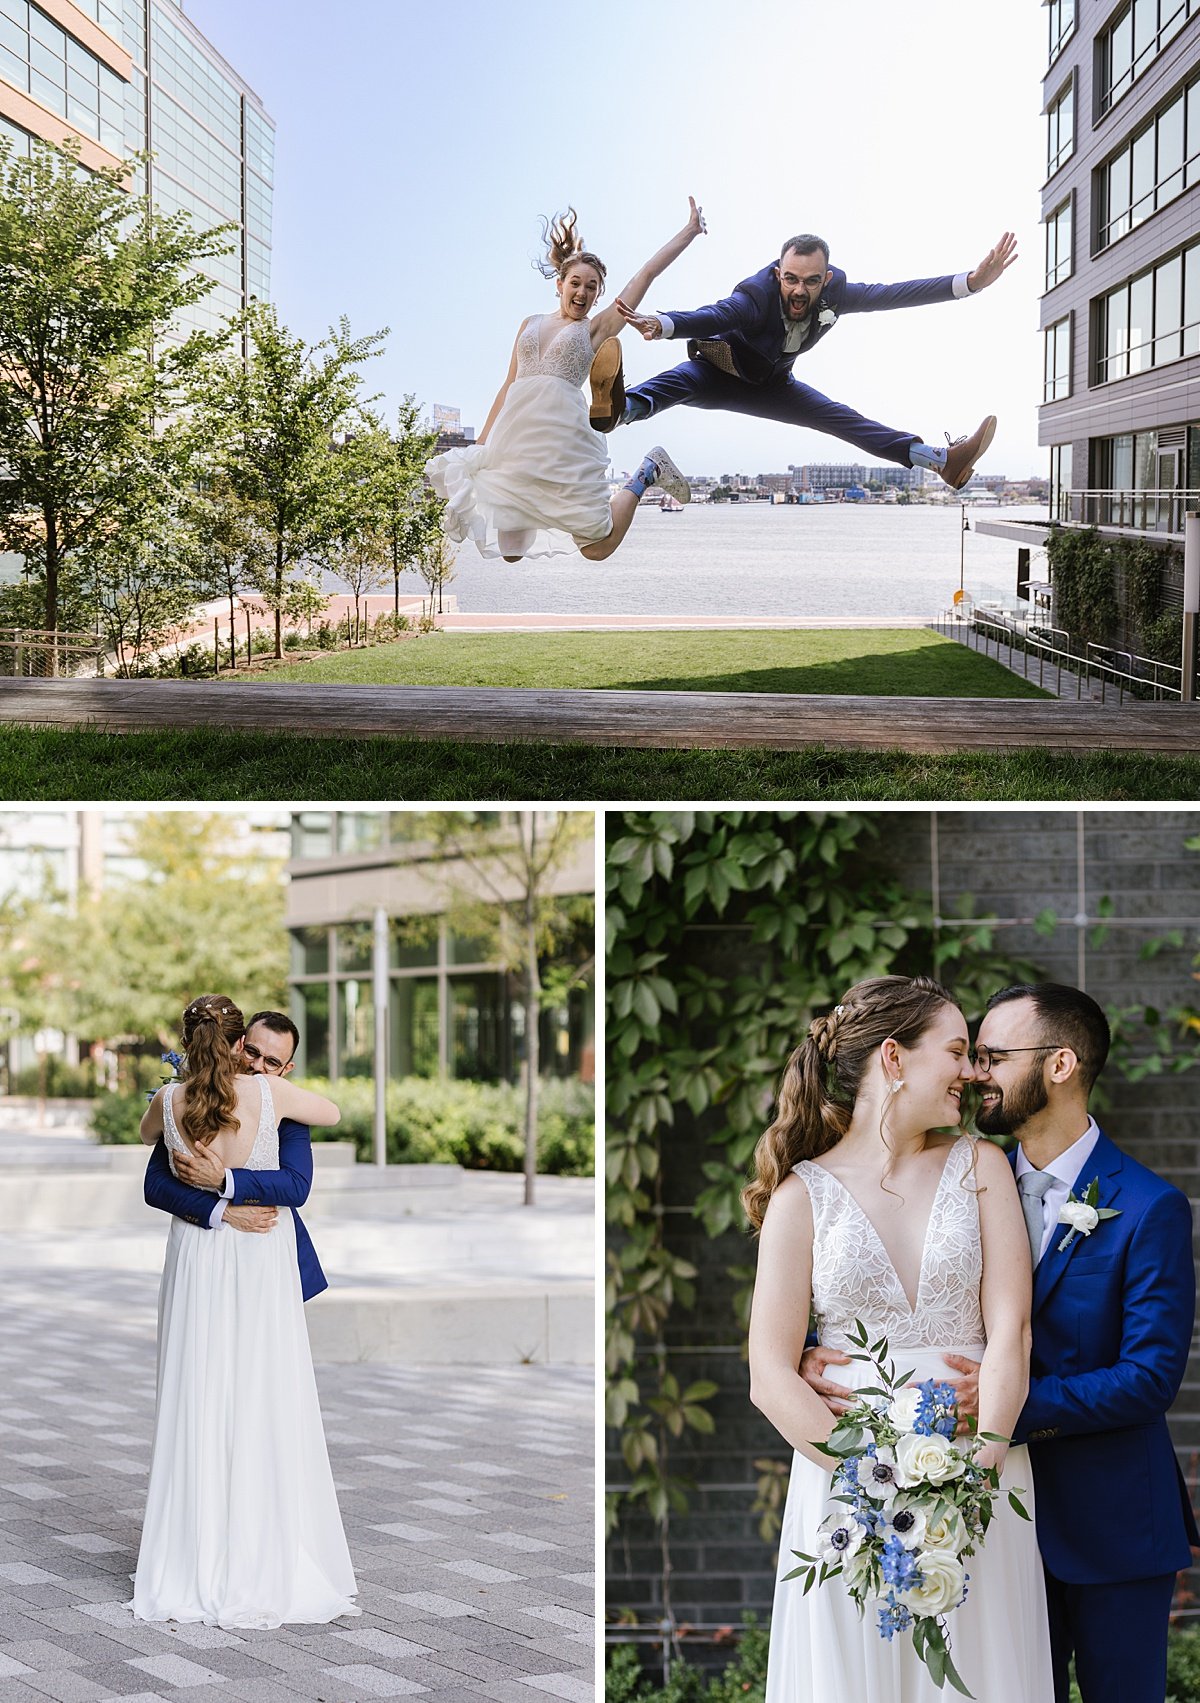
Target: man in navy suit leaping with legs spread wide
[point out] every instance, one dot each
(743, 352)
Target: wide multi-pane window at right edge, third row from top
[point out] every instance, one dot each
(1150, 319)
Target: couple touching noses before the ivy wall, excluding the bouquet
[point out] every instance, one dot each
(1053, 1285)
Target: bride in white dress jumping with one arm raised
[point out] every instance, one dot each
(535, 483)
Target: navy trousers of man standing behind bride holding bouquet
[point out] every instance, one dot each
(1117, 1636)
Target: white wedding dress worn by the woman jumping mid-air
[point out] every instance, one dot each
(540, 483)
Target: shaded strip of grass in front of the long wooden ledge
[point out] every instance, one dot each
(214, 765)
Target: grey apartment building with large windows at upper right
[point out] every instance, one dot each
(1121, 306)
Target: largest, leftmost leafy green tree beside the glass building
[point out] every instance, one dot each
(89, 282)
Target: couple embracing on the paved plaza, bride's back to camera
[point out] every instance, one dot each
(243, 1525)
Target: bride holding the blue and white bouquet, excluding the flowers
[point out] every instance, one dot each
(874, 1207)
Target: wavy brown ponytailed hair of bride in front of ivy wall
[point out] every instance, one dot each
(823, 1077)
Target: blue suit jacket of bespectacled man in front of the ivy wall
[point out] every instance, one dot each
(1112, 1329)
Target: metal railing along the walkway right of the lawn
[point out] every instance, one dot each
(1046, 657)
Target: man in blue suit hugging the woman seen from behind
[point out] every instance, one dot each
(248, 1201)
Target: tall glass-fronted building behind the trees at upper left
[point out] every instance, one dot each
(129, 77)
